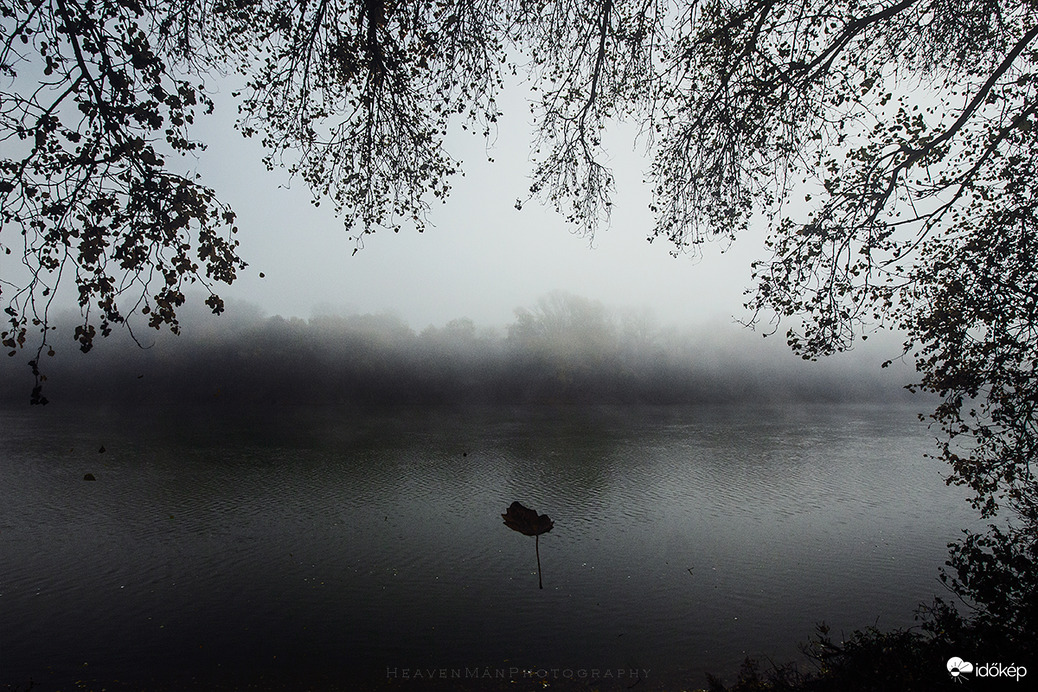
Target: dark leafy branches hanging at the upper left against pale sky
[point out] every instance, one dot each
(97, 97)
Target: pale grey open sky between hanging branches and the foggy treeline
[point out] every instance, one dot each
(480, 257)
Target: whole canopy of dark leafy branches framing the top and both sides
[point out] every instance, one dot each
(888, 145)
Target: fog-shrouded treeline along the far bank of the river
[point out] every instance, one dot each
(561, 349)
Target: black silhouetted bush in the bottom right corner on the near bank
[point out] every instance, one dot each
(996, 573)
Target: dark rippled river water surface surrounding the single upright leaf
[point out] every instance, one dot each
(335, 545)
